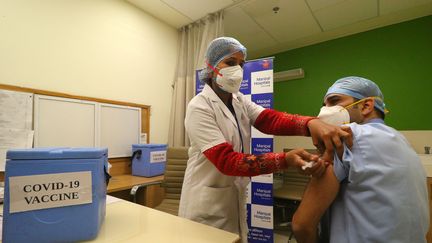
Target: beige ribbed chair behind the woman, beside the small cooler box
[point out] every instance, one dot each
(177, 158)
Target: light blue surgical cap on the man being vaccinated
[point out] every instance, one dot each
(359, 88)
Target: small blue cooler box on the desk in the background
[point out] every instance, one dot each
(148, 159)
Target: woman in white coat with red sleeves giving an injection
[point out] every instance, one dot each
(218, 122)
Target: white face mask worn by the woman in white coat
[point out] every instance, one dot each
(229, 78)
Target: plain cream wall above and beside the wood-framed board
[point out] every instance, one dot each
(98, 48)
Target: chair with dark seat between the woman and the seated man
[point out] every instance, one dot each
(287, 198)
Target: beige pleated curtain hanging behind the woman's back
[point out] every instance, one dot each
(194, 39)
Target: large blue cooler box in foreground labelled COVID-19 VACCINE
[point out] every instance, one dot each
(54, 194)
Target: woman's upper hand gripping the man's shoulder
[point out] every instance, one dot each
(327, 137)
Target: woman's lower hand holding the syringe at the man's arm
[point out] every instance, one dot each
(301, 159)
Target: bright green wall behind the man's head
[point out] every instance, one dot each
(397, 57)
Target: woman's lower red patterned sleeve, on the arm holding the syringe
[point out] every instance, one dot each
(233, 163)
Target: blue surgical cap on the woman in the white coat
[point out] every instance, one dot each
(219, 49)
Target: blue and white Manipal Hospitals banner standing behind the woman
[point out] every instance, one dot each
(257, 85)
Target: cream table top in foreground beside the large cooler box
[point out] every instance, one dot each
(129, 222)
